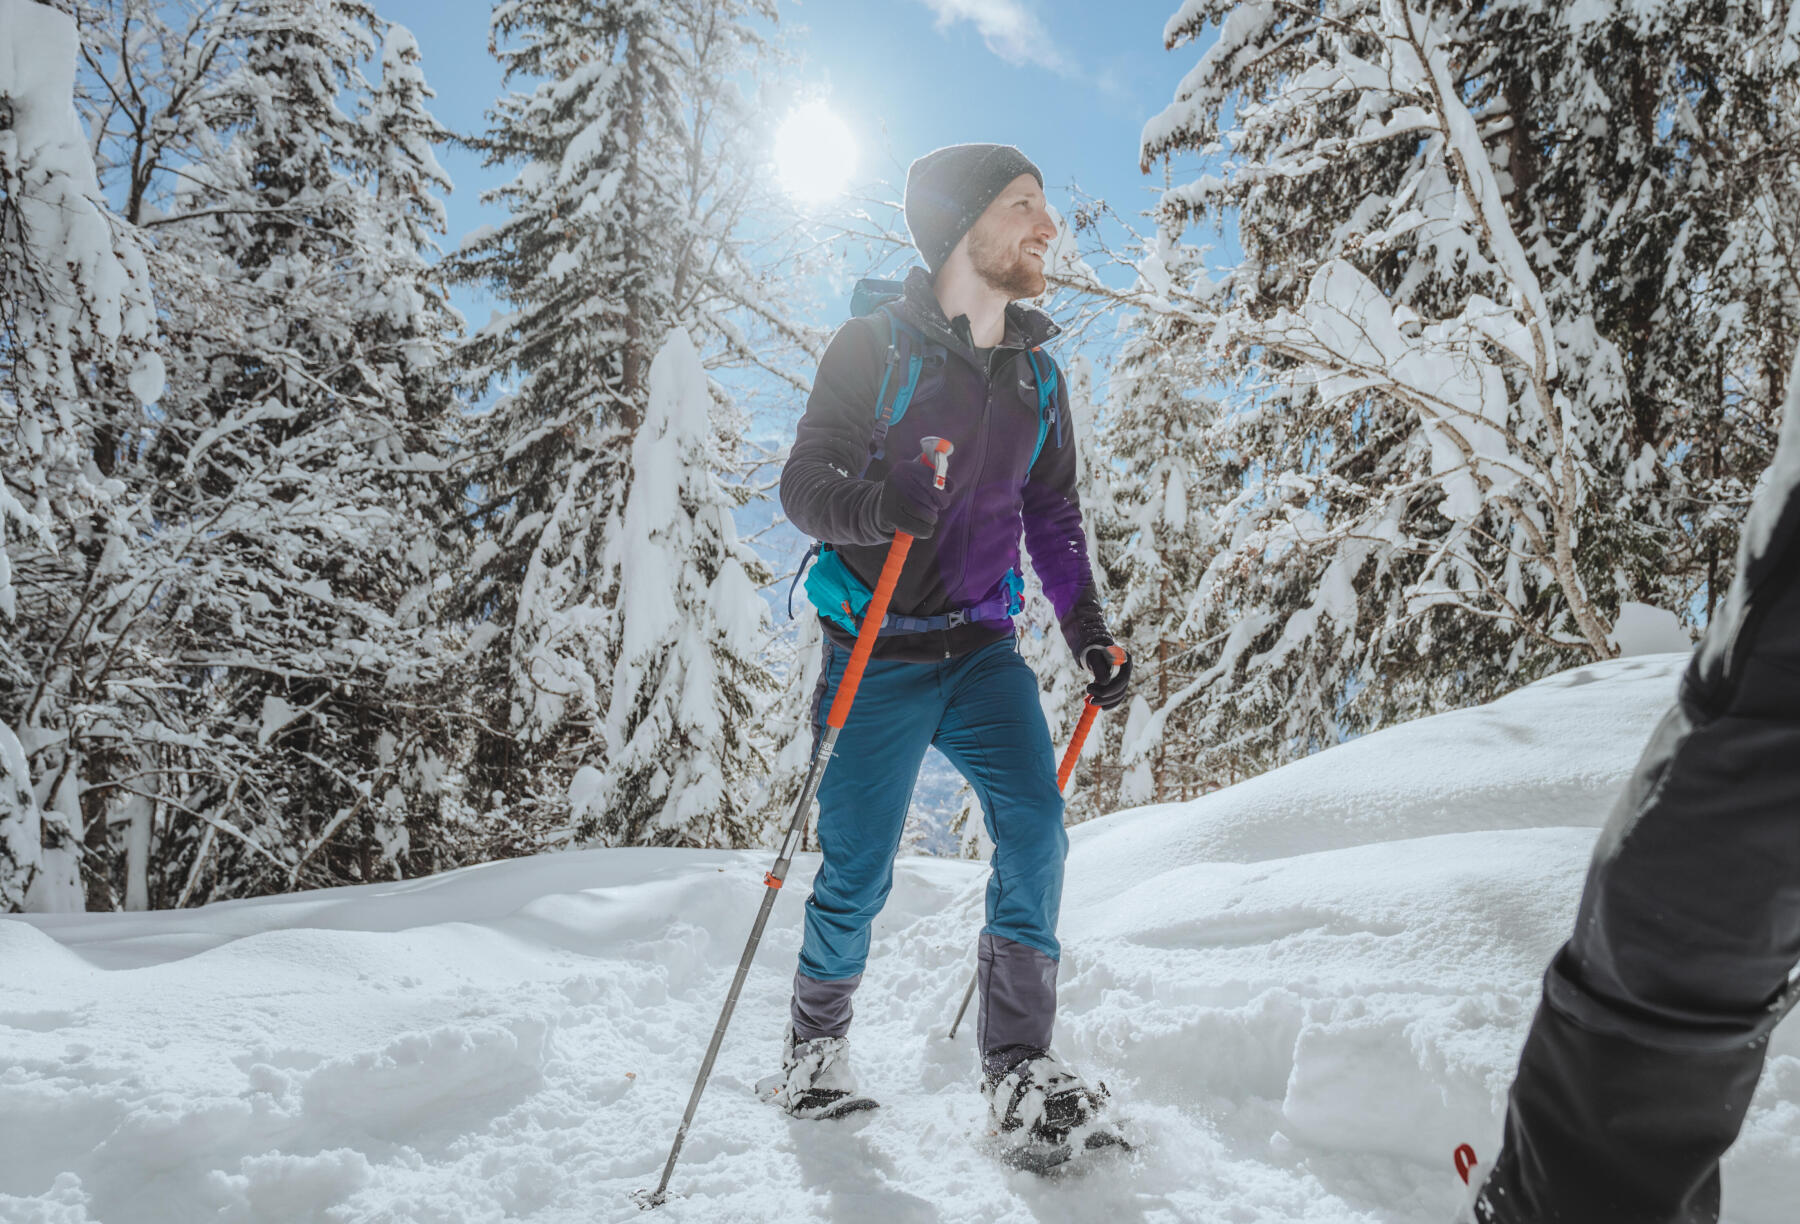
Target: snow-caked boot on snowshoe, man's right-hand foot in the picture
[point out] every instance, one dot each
(1045, 1113)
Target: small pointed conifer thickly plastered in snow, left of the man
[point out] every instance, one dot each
(678, 762)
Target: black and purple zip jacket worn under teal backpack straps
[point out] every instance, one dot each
(998, 490)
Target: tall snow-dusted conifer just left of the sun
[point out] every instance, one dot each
(638, 148)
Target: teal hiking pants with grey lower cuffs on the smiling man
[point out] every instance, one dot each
(982, 712)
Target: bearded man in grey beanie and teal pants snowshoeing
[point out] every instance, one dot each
(953, 357)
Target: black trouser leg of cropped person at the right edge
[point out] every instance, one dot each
(1657, 1014)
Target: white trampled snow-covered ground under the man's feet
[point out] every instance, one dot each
(1304, 991)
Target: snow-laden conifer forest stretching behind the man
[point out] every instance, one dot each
(1455, 364)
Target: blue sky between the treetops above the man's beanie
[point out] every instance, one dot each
(1070, 82)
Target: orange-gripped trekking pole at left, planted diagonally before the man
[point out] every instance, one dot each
(937, 453)
